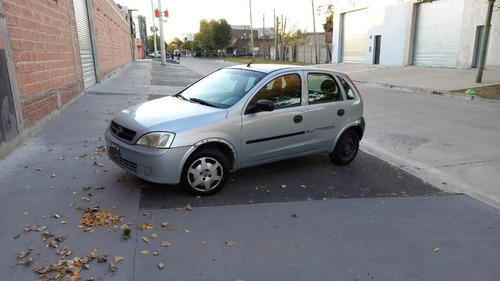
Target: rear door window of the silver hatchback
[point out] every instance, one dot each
(323, 88)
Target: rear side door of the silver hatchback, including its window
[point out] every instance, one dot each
(326, 112)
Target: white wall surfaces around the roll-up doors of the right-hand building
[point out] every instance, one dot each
(394, 20)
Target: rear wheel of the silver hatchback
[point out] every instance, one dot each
(346, 148)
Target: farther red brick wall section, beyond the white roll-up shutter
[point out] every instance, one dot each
(112, 36)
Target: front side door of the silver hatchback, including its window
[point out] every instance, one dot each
(271, 135)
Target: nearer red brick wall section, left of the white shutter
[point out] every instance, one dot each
(46, 61)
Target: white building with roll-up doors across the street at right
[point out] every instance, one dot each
(444, 33)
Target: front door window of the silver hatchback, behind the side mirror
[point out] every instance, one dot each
(284, 91)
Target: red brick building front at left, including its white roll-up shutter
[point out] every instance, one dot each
(50, 52)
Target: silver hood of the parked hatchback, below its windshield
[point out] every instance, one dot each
(167, 114)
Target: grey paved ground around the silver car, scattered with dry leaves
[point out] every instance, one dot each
(300, 219)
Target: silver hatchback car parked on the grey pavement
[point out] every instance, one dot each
(238, 117)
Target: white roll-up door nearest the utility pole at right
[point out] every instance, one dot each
(437, 33)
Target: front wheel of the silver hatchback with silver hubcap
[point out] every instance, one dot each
(205, 172)
